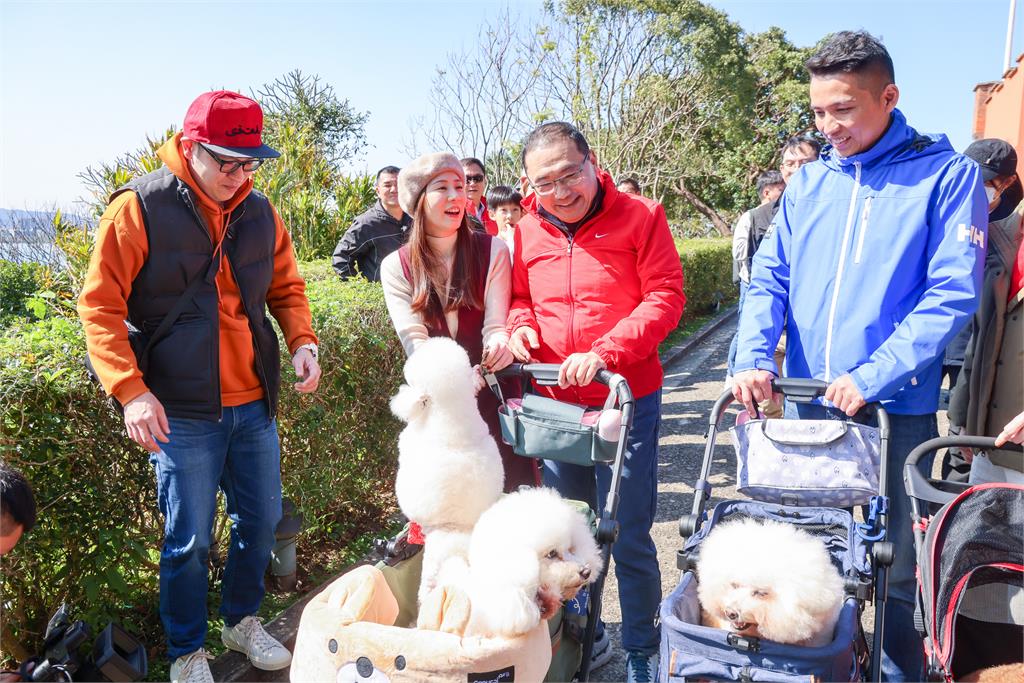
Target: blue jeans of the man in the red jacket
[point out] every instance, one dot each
(636, 558)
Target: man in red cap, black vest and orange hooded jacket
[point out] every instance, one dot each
(188, 260)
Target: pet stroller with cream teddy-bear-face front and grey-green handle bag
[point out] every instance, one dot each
(360, 627)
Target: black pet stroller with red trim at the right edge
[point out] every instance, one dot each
(970, 549)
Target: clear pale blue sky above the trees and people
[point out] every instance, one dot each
(84, 82)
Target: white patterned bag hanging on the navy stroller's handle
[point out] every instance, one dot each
(829, 463)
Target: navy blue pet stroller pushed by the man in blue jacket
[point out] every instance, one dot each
(800, 473)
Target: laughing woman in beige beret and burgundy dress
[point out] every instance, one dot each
(453, 281)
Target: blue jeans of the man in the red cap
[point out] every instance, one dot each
(240, 455)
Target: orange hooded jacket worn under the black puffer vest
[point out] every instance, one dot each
(120, 252)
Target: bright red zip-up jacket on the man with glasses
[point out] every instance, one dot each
(615, 289)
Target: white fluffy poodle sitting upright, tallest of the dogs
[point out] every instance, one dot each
(449, 467)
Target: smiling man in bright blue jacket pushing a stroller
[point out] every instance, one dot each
(872, 264)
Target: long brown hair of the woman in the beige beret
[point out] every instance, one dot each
(430, 278)
